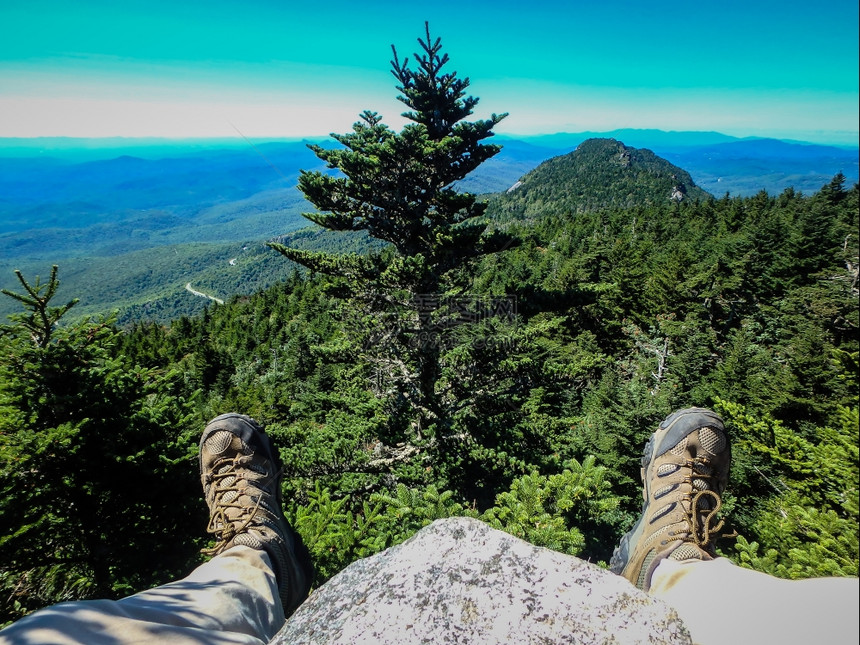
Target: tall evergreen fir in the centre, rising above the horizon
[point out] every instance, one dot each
(399, 188)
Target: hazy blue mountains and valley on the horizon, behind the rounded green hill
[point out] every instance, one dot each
(131, 209)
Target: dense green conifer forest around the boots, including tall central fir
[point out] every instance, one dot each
(507, 364)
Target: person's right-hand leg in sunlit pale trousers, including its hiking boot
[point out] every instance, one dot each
(670, 551)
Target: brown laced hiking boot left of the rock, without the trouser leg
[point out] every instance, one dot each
(241, 474)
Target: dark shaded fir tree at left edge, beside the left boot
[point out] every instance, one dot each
(91, 446)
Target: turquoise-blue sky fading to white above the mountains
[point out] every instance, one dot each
(94, 68)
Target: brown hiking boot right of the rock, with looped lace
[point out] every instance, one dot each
(685, 468)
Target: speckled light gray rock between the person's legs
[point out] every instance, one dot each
(460, 581)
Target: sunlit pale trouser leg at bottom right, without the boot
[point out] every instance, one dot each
(720, 602)
